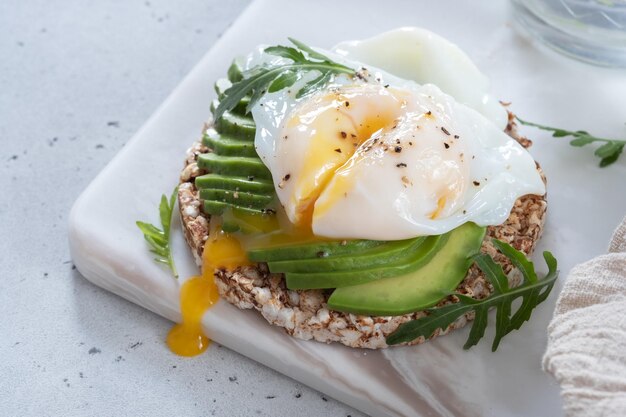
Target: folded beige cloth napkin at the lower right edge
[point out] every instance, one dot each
(587, 336)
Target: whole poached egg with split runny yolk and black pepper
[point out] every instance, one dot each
(413, 145)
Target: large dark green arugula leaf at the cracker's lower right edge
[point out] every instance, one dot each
(532, 290)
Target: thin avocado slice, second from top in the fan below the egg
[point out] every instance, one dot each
(381, 255)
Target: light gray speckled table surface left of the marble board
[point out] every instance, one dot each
(77, 79)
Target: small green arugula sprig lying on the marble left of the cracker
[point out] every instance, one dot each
(159, 240)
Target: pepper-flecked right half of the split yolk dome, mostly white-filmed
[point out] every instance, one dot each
(414, 154)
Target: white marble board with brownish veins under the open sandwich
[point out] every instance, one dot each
(437, 378)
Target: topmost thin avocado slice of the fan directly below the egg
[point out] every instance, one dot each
(312, 250)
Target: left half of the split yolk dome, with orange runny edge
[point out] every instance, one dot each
(334, 125)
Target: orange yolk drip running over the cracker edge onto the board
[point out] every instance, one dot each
(199, 293)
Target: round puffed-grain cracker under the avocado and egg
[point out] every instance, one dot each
(304, 313)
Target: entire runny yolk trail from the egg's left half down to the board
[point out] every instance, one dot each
(336, 125)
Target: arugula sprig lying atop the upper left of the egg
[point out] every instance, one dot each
(271, 78)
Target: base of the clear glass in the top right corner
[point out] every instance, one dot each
(590, 30)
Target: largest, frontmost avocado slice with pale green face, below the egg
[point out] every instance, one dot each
(419, 289)
